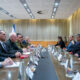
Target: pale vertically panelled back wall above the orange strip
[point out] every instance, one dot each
(38, 29)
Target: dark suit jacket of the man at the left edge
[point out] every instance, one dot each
(5, 53)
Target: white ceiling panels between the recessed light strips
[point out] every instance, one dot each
(14, 7)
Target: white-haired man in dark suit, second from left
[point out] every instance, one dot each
(11, 44)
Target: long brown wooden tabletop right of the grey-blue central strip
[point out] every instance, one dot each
(60, 71)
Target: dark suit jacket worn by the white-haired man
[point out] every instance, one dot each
(12, 47)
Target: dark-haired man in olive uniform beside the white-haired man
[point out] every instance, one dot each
(20, 41)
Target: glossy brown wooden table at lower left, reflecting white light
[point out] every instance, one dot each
(13, 73)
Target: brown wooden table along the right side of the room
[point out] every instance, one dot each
(60, 70)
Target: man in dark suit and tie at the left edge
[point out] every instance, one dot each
(4, 53)
